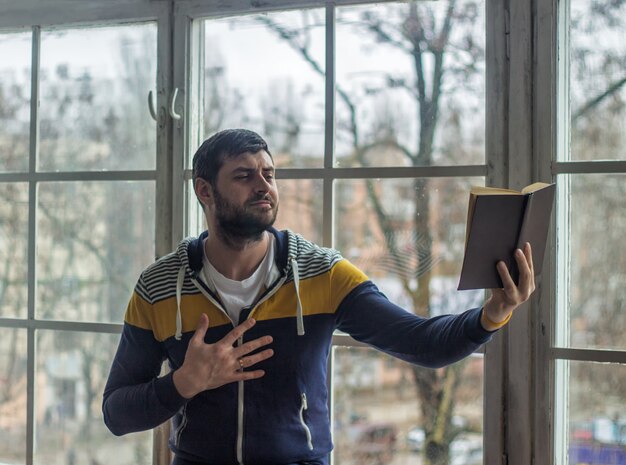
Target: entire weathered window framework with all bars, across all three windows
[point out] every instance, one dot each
(525, 96)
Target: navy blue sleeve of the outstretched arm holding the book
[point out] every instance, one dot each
(368, 316)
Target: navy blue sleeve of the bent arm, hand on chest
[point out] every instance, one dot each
(135, 397)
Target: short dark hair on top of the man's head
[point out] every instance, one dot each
(228, 143)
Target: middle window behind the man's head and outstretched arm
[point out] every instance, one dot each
(376, 119)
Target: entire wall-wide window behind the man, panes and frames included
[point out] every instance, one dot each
(380, 116)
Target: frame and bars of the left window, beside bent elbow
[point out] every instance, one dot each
(33, 15)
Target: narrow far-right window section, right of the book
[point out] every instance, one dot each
(590, 348)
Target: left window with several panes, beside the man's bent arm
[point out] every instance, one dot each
(77, 225)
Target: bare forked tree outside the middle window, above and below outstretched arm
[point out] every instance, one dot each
(427, 35)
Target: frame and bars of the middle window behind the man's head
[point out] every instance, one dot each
(506, 164)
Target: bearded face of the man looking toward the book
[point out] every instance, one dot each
(245, 197)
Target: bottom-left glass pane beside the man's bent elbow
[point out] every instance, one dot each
(71, 373)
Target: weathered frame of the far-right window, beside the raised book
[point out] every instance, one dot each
(552, 127)
